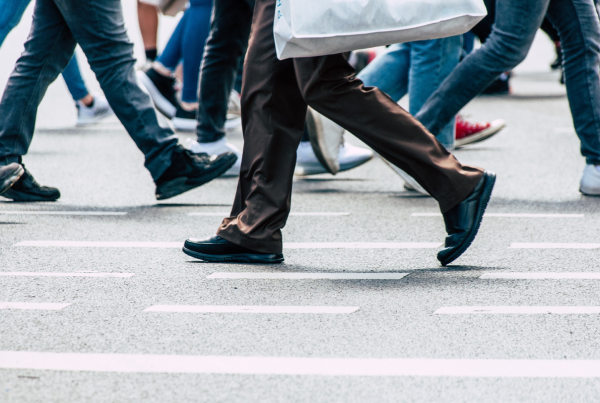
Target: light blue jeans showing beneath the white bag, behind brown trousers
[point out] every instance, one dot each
(416, 68)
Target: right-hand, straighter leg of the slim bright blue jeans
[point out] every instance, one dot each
(194, 39)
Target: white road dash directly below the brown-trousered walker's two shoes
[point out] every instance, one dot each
(311, 276)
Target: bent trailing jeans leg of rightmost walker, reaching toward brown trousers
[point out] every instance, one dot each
(517, 22)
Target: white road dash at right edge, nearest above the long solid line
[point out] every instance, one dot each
(524, 310)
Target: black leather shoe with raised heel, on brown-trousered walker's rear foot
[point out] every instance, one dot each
(462, 222)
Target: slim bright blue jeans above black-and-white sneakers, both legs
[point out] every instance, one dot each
(187, 44)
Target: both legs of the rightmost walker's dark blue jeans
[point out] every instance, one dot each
(516, 24)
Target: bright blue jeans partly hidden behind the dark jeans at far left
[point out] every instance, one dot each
(11, 12)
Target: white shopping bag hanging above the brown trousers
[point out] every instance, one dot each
(305, 28)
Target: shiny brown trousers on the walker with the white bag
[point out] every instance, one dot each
(275, 95)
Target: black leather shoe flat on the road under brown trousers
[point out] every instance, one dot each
(217, 249)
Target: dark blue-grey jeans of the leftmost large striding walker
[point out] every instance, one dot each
(98, 27)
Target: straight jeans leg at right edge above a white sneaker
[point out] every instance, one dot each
(579, 30)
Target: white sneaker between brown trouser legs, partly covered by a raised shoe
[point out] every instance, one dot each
(349, 157)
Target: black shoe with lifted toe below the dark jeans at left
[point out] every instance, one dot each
(188, 171)
